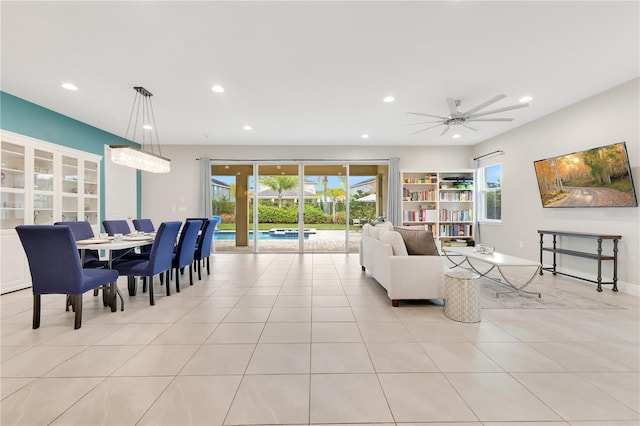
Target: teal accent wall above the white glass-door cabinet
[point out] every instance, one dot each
(29, 119)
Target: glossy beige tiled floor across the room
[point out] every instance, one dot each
(309, 339)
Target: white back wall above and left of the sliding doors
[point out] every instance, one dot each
(173, 196)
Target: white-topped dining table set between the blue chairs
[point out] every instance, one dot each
(111, 245)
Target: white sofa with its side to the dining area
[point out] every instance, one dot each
(383, 254)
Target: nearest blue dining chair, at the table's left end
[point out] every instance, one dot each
(55, 268)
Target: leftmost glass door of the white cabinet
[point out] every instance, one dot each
(12, 189)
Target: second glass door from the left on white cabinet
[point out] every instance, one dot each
(43, 180)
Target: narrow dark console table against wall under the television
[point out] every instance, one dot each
(595, 256)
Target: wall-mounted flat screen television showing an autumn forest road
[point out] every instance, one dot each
(597, 177)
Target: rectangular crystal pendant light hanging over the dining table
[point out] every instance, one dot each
(142, 159)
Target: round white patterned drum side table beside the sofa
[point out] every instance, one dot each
(462, 295)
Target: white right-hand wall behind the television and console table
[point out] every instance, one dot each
(612, 116)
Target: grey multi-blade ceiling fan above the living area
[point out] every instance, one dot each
(456, 117)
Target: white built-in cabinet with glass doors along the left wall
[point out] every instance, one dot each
(42, 183)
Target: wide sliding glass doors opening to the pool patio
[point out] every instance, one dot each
(296, 206)
